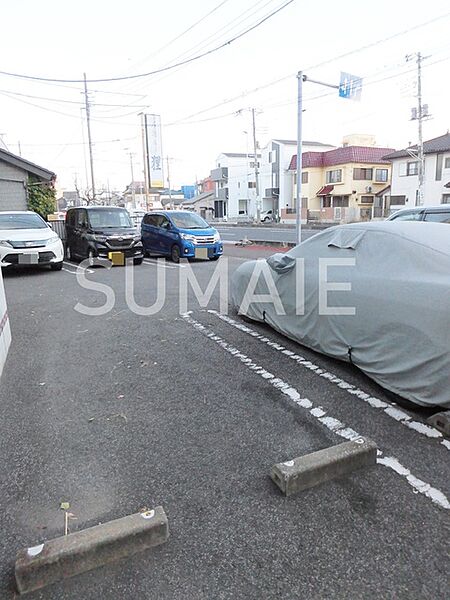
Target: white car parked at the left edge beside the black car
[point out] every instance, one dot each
(26, 239)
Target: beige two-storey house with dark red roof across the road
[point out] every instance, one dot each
(342, 185)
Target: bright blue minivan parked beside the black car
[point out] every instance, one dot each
(179, 233)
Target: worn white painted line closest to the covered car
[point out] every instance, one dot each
(389, 409)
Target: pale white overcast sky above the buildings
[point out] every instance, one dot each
(198, 102)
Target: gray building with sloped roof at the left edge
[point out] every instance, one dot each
(14, 173)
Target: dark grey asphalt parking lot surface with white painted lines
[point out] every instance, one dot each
(122, 411)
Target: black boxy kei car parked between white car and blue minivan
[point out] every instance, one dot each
(98, 231)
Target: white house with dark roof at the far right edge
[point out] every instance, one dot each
(405, 179)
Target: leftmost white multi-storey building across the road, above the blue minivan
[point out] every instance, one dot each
(235, 182)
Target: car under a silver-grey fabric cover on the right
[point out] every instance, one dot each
(373, 294)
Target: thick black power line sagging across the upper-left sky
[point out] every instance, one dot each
(161, 70)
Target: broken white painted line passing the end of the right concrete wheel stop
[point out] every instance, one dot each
(334, 425)
